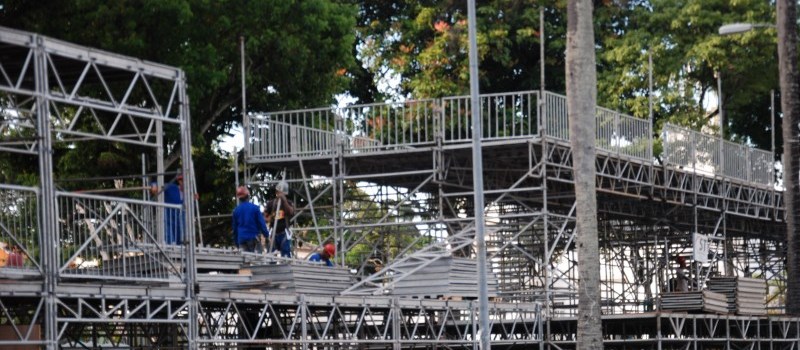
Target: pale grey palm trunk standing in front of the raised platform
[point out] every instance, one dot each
(581, 101)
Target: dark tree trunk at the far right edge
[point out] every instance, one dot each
(790, 104)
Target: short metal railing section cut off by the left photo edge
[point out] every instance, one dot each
(19, 226)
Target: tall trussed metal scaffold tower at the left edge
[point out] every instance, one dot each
(59, 95)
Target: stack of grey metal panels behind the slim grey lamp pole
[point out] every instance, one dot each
(445, 277)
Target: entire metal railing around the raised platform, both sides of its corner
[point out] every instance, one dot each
(418, 123)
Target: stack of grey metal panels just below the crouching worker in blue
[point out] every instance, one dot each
(303, 278)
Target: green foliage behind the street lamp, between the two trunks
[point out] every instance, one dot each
(687, 51)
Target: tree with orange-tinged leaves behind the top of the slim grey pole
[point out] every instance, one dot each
(423, 44)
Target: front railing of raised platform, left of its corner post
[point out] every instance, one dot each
(392, 125)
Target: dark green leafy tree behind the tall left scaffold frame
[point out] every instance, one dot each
(298, 55)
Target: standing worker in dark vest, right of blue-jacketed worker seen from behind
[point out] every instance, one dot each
(278, 211)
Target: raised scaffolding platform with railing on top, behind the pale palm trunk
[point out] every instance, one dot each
(400, 169)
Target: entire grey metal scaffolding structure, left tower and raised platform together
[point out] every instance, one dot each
(387, 182)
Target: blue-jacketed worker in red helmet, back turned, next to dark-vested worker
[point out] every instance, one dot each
(248, 223)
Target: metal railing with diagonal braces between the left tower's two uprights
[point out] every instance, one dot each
(114, 238)
